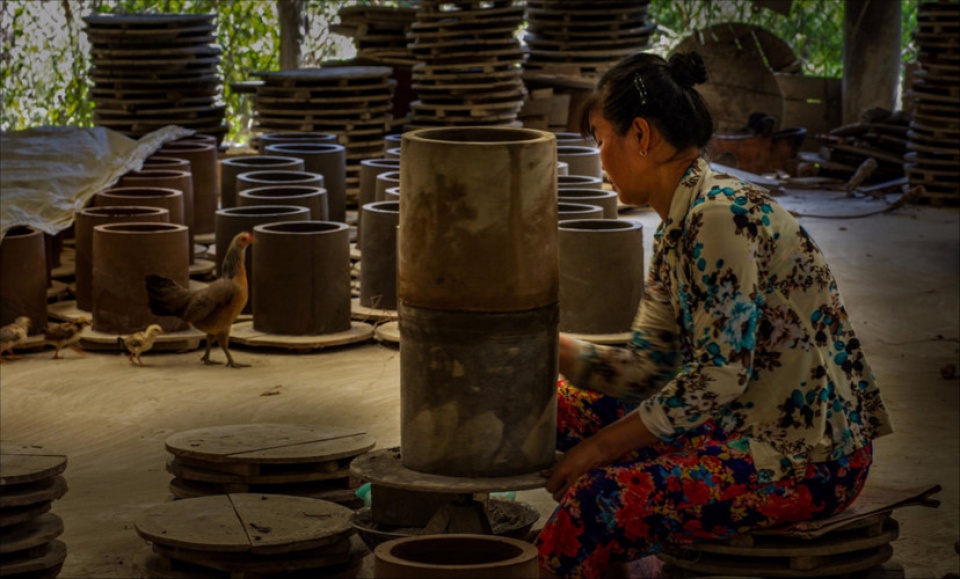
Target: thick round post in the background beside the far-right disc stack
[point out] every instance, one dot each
(871, 56)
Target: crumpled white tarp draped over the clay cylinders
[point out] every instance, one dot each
(47, 174)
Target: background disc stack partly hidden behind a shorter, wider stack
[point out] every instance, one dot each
(379, 32)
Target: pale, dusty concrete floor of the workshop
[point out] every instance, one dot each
(899, 274)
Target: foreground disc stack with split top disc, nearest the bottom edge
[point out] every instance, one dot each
(250, 535)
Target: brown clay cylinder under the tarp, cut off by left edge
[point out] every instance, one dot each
(23, 277)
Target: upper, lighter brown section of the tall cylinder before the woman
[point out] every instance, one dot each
(486, 209)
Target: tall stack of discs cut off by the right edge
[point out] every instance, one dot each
(933, 160)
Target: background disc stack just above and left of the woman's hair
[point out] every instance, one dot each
(584, 37)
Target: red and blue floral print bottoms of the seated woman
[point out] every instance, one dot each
(702, 486)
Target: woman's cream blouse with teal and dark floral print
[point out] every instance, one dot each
(742, 322)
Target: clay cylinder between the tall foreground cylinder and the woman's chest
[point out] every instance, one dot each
(601, 275)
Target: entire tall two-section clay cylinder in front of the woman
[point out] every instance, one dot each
(479, 364)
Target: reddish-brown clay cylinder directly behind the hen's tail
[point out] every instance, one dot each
(123, 255)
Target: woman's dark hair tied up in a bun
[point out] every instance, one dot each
(645, 85)
